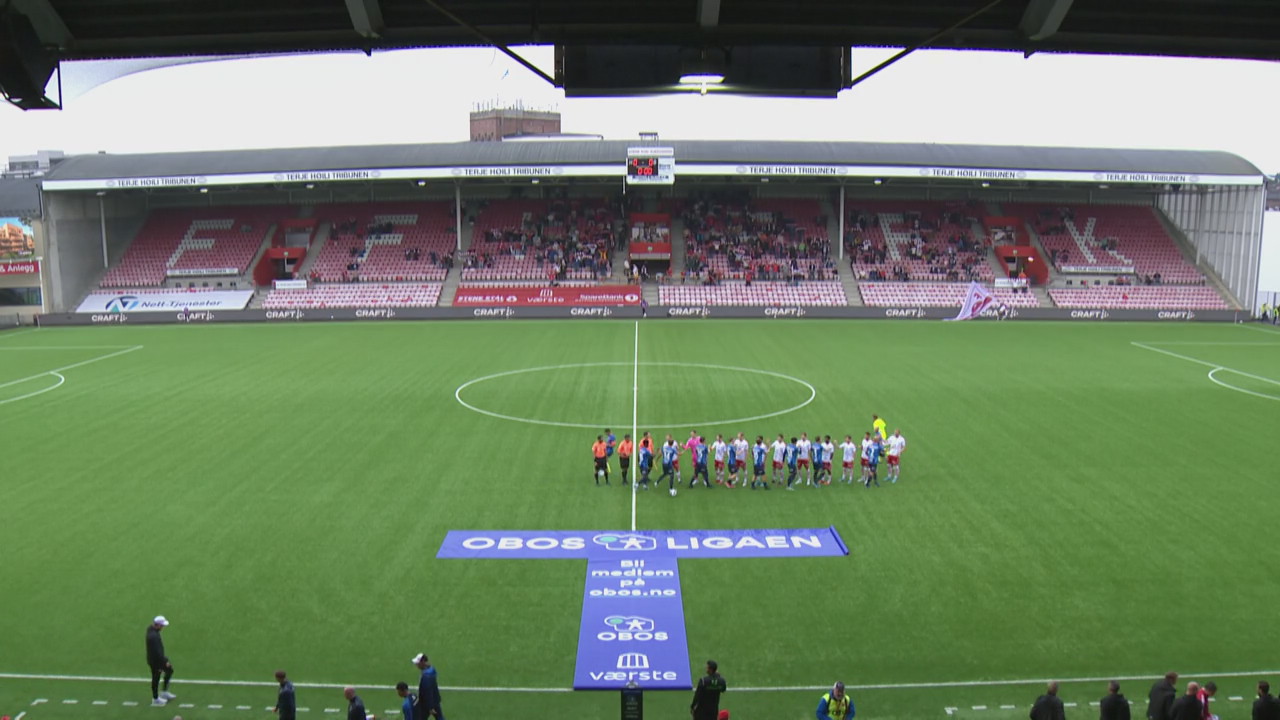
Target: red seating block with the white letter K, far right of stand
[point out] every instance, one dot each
(1100, 236)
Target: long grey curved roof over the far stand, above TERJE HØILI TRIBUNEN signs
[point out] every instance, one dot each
(612, 153)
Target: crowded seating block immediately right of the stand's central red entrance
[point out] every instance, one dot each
(730, 236)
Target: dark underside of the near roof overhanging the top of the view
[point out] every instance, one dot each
(117, 29)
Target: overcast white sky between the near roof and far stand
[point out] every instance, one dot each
(424, 97)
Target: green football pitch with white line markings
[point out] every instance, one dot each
(1077, 502)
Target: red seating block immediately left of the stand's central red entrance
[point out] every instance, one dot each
(532, 240)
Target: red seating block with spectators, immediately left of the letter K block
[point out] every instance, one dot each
(922, 240)
